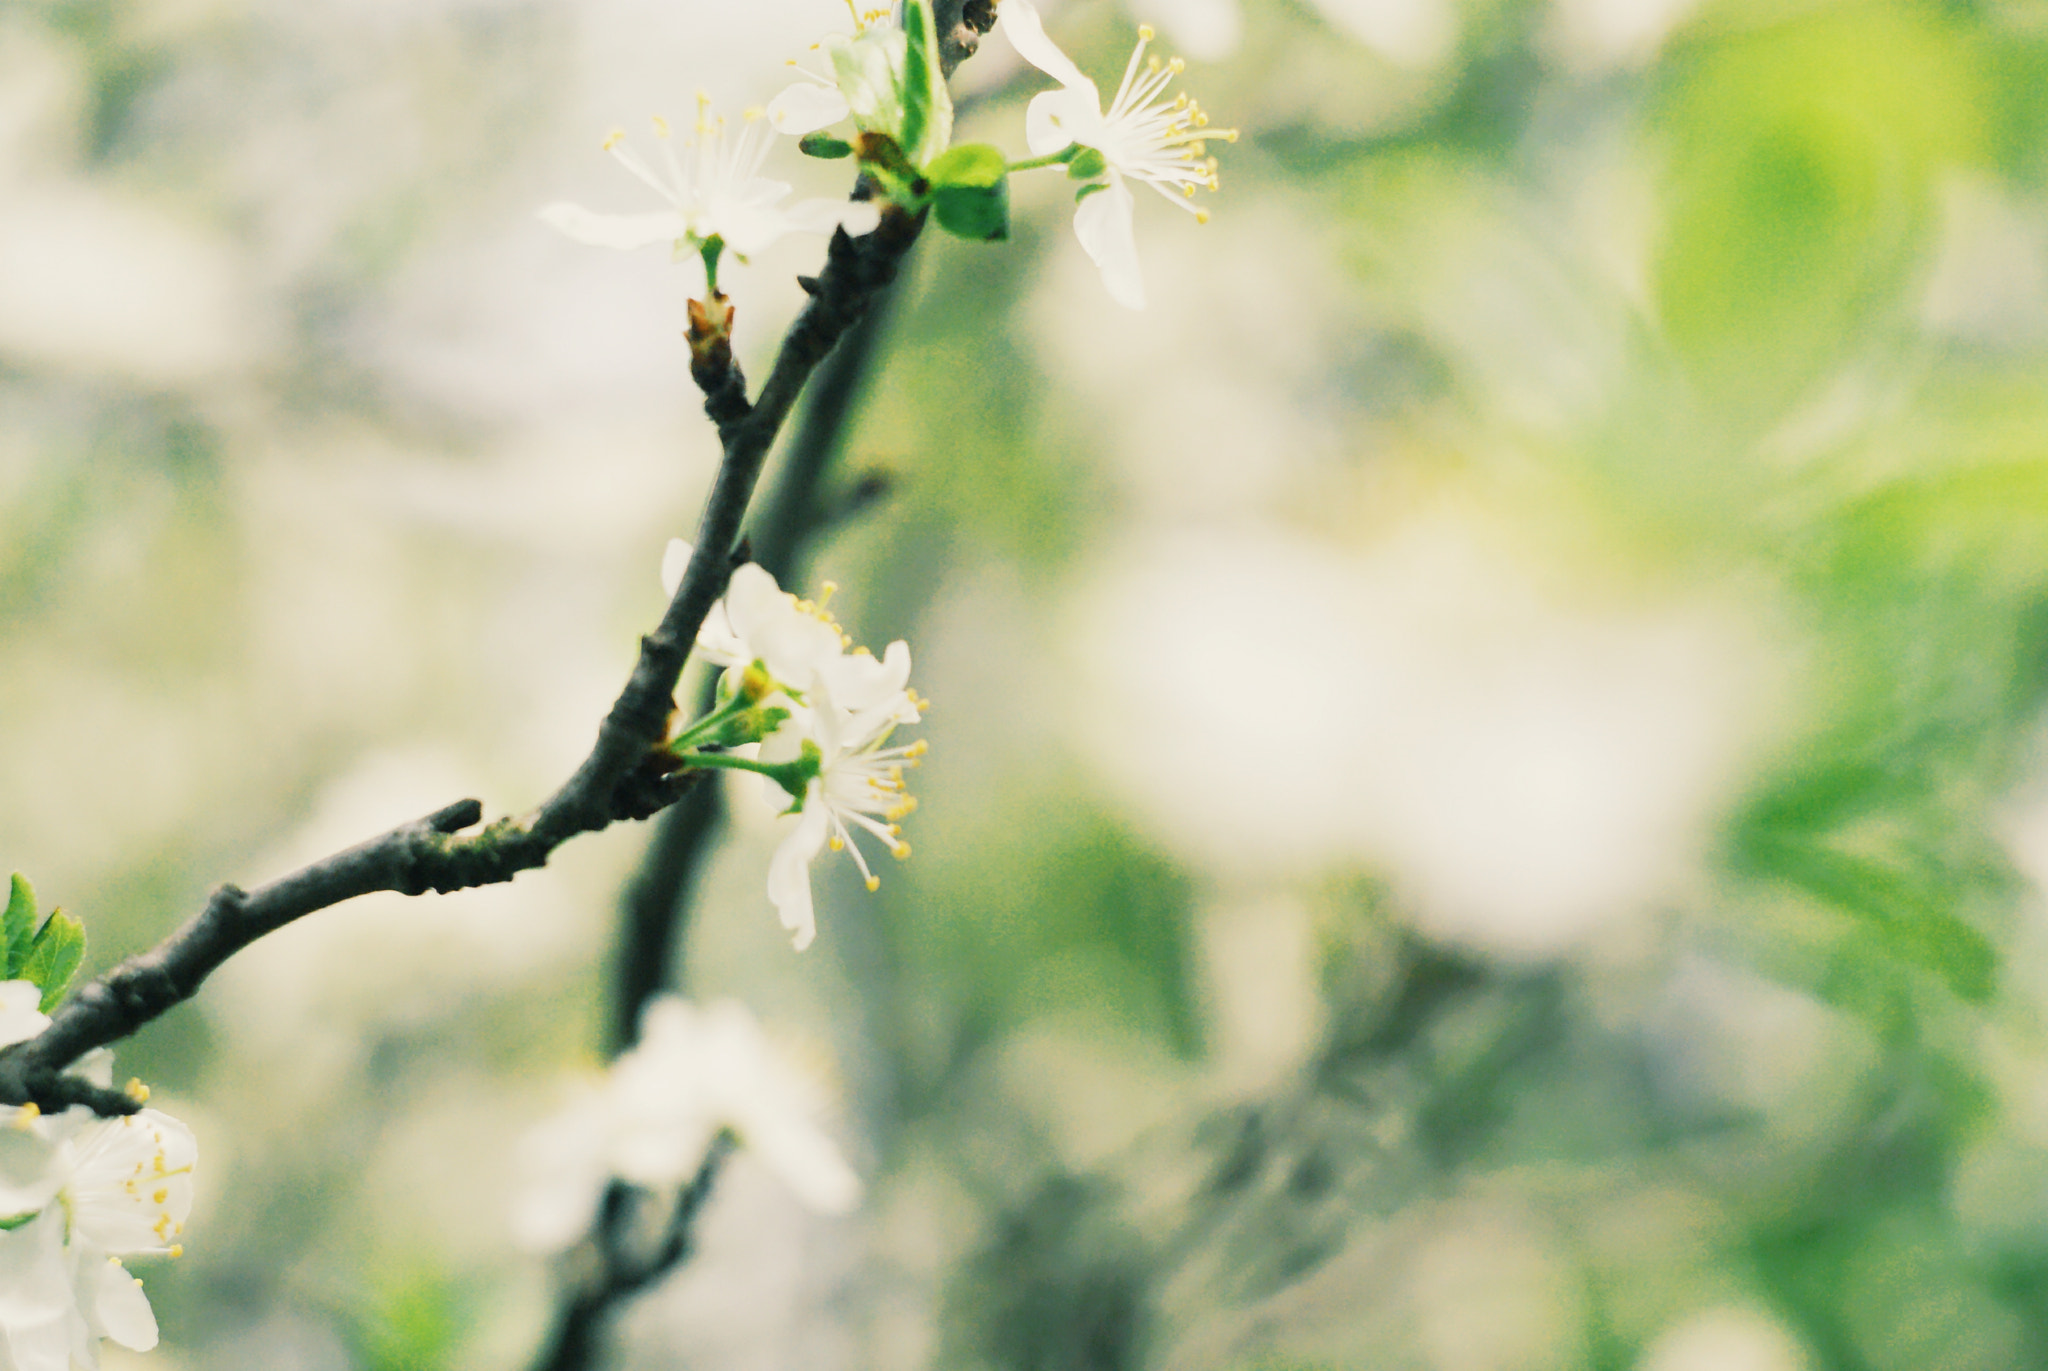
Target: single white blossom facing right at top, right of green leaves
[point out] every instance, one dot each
(1142, 136)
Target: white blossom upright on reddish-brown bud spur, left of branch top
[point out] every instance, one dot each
(716, 196)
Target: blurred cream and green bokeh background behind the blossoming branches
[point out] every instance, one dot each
(1488, 794)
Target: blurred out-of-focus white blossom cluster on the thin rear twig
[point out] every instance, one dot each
(695, 1075)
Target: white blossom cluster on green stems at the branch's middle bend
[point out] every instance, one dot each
(822, 714)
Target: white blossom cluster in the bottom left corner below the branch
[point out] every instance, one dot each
(77, 1196)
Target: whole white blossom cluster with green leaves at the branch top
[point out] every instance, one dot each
(886, 83)
